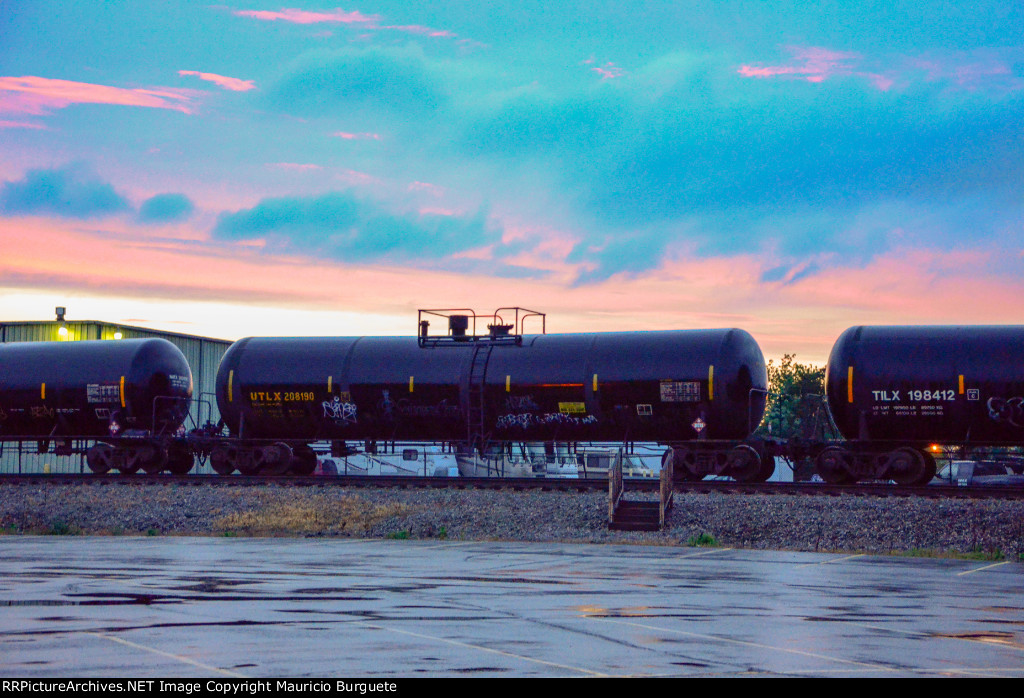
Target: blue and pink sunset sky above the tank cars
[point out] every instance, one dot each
(788, 168)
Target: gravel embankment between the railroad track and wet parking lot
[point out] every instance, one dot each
(778, 522)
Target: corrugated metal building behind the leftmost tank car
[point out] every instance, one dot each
(202, 354)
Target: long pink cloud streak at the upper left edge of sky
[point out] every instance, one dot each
(31, 95)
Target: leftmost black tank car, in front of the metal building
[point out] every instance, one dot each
(130, 396)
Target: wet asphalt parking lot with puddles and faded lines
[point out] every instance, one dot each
(224, 607)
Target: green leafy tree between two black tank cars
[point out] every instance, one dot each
(796, 402)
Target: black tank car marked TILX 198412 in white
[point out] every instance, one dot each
(894, 391)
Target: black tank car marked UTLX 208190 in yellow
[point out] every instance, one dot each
(702, 390)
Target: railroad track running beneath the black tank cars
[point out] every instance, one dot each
(1002, 492)
